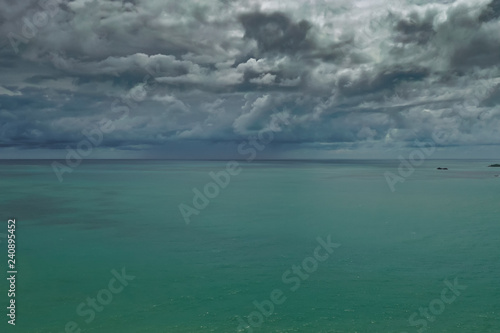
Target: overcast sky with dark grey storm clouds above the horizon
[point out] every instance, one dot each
(212, 79)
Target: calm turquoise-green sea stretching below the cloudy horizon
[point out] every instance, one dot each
(396, 249)
